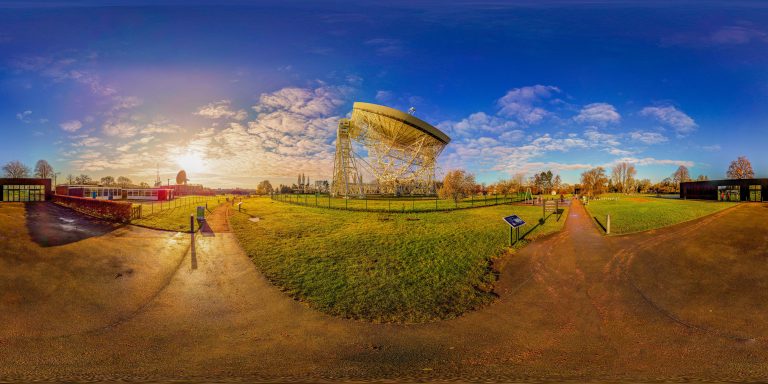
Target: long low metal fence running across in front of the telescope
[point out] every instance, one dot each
(395, 204)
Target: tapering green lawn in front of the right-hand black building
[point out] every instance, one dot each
(635, 213)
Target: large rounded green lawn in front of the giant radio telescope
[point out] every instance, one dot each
(378, 266)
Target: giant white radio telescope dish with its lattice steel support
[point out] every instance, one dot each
(402, 152)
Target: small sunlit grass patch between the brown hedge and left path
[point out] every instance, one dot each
(177, 217)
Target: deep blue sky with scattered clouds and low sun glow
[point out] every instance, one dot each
(238, 92)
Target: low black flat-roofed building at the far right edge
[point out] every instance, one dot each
(725, 190)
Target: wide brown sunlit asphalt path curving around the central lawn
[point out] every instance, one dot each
(570, 307)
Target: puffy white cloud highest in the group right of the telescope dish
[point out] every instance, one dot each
(520, 103)
